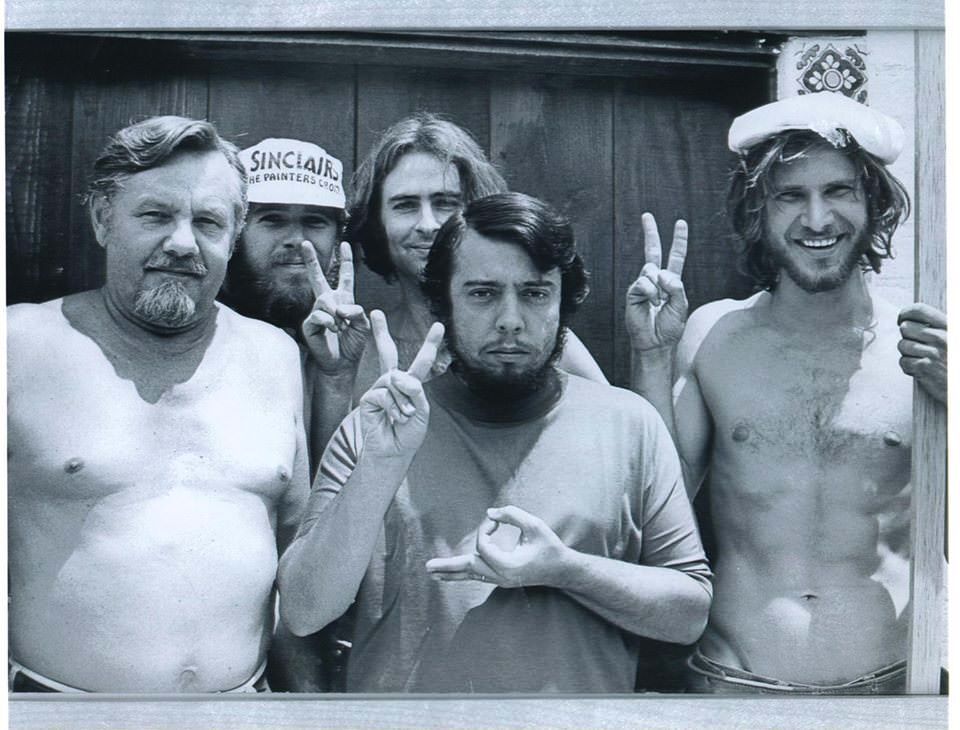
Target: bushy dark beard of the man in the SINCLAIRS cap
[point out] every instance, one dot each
(282, 304)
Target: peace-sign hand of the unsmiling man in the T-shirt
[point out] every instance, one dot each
(394, 413)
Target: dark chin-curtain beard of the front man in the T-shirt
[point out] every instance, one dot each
(509, 383)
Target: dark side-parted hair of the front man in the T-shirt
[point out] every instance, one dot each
(545, 235)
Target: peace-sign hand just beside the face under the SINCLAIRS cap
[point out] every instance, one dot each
(336, 330)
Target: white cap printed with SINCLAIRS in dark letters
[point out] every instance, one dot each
(291, 172)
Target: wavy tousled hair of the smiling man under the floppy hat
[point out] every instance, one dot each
(888, 203)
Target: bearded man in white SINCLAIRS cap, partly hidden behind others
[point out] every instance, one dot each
(289, 271)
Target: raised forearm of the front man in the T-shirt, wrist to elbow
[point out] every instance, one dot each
(321, 571)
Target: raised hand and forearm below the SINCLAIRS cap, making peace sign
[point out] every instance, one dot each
(335, 333)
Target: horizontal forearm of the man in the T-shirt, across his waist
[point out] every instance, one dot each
(659, 603)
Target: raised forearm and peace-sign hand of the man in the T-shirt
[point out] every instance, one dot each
(321, 571)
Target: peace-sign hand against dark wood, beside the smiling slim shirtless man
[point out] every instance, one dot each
(656, 301)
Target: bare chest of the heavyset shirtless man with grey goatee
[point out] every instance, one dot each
(83, 432)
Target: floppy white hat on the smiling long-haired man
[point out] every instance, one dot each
(831, 115)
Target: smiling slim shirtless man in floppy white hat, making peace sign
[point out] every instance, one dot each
(793, 407)
